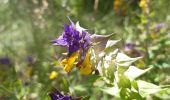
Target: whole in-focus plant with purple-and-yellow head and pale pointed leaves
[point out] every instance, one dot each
(95, 55)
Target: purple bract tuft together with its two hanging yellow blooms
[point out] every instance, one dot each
(77, 42)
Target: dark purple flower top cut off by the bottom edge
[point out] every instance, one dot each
(56, 95)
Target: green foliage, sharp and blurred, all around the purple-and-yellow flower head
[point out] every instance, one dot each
(141, 72)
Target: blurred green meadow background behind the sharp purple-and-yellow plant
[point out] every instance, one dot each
(27, 56)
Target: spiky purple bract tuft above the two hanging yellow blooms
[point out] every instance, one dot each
(74, 38)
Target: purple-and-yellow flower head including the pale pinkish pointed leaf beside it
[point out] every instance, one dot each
(78, 43)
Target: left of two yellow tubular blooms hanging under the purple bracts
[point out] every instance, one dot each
(68, 63)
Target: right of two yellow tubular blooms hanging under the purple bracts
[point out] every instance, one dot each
(86, 67)
